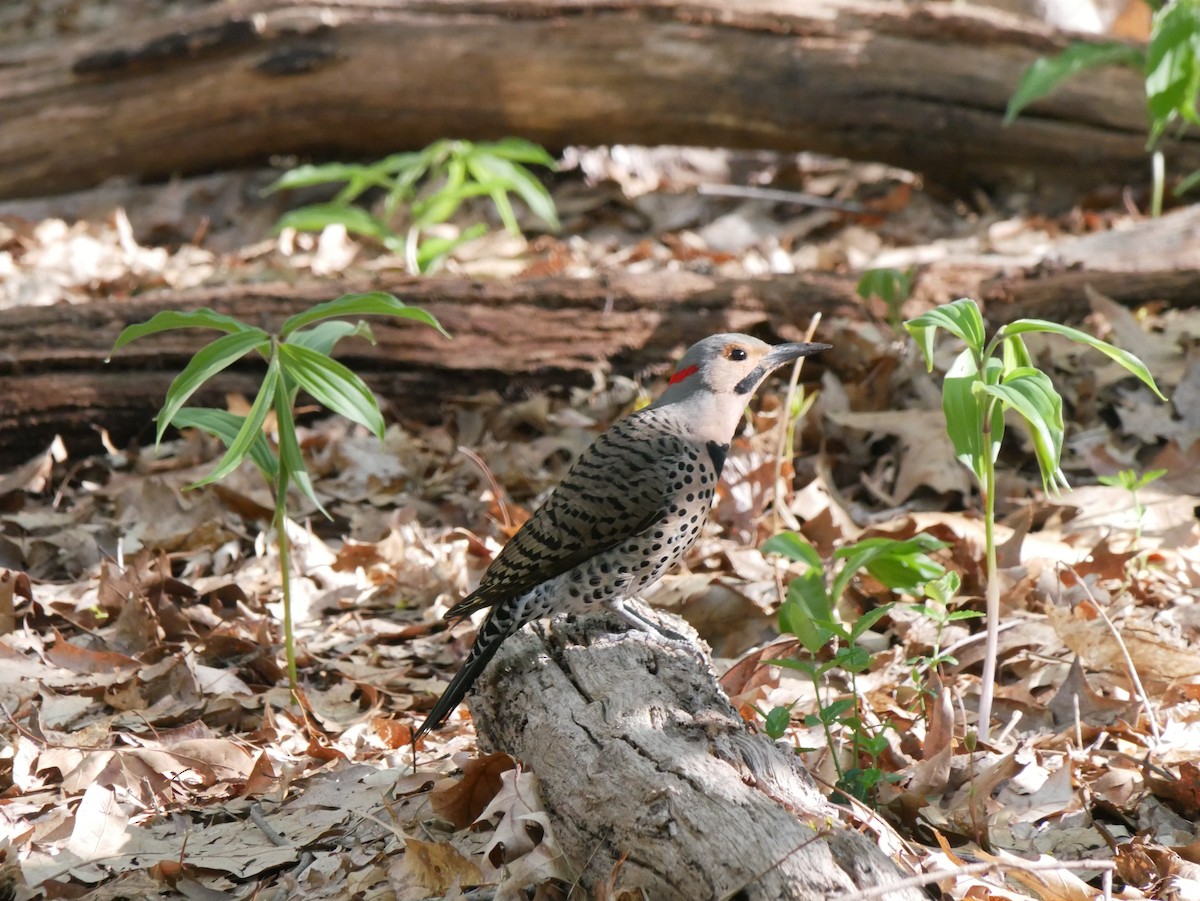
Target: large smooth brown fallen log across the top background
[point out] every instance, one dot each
(922, 86)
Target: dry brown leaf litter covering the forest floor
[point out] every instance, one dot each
(151, 746)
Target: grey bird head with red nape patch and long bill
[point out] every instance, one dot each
(719, 375)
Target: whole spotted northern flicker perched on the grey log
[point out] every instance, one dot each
(628, 510)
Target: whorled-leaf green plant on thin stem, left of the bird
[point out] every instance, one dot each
(297, 358)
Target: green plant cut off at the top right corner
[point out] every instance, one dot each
(1171, 68)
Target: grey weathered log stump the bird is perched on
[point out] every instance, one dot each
(647, 772)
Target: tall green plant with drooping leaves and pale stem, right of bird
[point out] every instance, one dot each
(977, 391)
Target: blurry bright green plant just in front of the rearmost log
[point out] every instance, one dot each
(429, 187)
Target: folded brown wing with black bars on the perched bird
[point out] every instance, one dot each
(617, 489)
